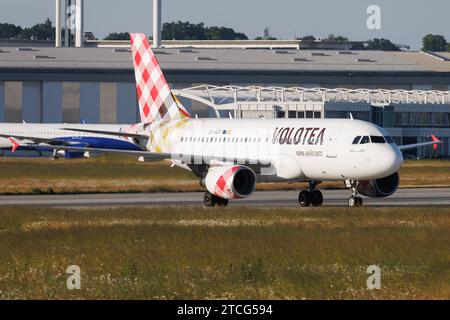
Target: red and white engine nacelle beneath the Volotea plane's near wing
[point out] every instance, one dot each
(230, 182)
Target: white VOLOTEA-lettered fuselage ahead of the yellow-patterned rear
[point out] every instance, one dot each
(298, 149)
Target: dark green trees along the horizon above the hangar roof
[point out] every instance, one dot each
(184, 30)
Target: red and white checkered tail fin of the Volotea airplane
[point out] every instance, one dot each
(156, 101)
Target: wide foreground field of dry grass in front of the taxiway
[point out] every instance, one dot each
(231, 253)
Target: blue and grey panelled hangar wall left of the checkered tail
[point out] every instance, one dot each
(68, 102)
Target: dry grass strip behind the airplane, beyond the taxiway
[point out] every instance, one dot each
(110, 174)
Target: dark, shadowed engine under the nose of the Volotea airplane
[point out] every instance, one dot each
(378, 188)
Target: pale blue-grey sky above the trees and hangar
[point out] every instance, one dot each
(402, 21)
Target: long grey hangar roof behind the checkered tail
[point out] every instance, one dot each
(199, 65)
